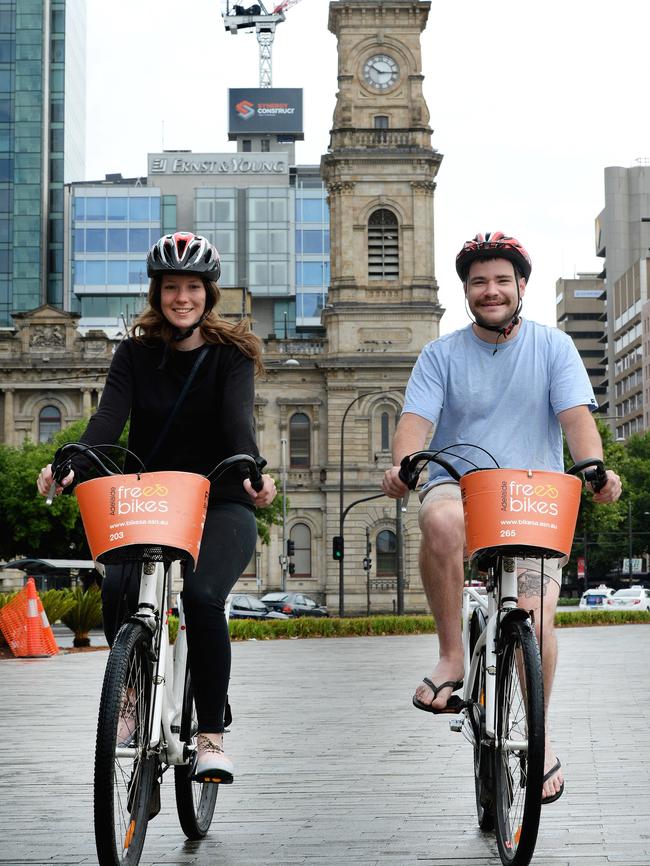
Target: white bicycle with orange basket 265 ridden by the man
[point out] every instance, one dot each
(508, 514)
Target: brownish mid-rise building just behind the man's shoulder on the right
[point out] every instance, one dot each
(580, 313)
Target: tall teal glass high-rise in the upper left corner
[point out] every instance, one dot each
(42, 144)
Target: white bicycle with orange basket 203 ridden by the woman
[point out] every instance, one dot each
(147, 718)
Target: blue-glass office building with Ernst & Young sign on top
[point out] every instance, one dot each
(269, 221)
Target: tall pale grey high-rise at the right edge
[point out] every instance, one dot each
(623, 240)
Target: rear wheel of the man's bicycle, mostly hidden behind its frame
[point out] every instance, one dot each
(483, 778)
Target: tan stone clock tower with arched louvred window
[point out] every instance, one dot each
(380, 174)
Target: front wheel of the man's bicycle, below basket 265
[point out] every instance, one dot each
(519, 752)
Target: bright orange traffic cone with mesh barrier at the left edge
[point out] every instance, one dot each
(25, 625)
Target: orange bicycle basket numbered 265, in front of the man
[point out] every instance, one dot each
(520, 512)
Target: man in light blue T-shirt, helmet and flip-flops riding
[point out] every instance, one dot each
(511, 386)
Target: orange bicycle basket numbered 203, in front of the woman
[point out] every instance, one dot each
(152, 516)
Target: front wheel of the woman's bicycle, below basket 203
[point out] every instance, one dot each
(124, 773)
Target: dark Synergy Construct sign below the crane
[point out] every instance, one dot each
(265, 110)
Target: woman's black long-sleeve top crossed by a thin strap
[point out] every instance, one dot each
(215, 420)
